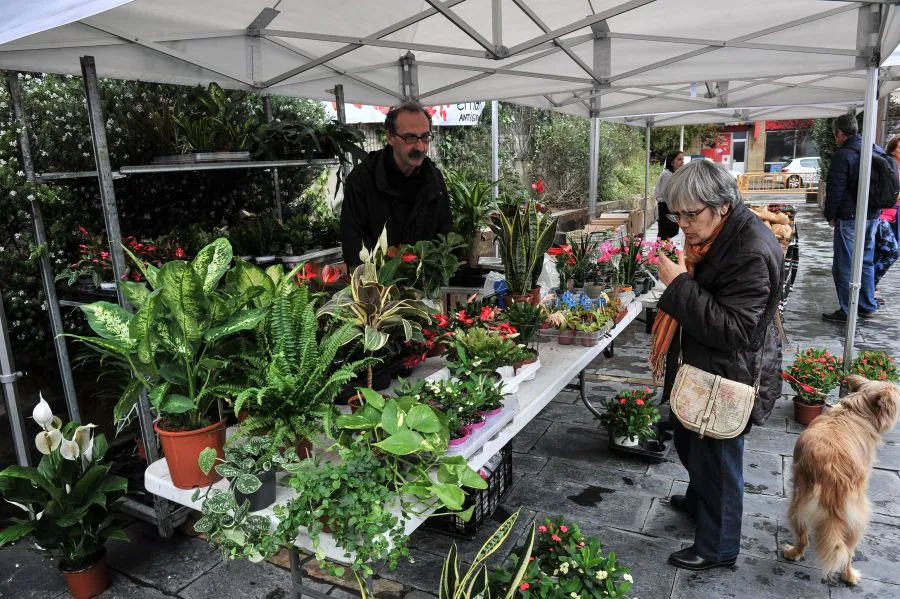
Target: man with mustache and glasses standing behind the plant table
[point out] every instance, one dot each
(398, 187)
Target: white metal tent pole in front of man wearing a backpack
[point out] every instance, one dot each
(862, 205)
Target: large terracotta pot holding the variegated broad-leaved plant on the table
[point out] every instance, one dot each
(182, 450)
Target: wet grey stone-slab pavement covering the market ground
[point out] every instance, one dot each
(562, 465)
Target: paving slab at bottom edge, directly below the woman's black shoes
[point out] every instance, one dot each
(751, 577)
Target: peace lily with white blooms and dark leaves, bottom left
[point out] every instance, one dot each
(68, 496)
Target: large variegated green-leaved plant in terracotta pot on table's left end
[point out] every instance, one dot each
(175, 345)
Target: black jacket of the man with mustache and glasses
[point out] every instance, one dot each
(370, 203)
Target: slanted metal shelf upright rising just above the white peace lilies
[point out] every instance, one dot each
(46, 267)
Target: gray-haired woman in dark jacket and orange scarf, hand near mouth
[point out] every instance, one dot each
(722, 294)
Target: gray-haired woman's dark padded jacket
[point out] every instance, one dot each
(726, 308)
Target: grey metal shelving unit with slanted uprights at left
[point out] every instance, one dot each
(161, 512)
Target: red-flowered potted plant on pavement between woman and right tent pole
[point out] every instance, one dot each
(813, 375)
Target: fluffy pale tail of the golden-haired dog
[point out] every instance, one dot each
(833, 526)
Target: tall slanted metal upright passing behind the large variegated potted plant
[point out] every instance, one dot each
(114, 235)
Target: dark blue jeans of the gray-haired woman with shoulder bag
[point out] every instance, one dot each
(715, 495)
